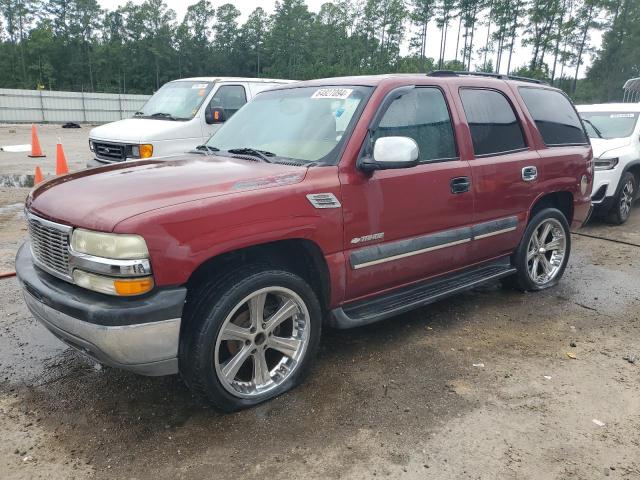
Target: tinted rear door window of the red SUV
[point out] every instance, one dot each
(492, 121)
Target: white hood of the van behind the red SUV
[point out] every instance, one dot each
(140, 130)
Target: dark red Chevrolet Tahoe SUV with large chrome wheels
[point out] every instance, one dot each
(335, 202)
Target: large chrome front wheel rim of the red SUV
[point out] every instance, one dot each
(262, 342)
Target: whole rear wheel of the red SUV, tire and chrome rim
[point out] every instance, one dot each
(543, 253)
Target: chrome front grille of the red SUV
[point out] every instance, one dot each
(50, 245)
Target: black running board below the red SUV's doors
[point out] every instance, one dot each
(409, 298)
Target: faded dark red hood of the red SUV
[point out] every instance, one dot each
(100, 198)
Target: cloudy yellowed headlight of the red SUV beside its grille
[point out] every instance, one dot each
(109, 245)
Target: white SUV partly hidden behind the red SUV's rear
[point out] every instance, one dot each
(615, 135)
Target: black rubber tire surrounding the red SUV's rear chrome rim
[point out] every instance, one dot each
(520, 258)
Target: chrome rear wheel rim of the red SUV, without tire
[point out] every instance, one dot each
(546, 251)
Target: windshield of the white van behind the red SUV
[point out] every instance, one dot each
(178, 100)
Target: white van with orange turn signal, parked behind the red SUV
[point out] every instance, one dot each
(178, 117)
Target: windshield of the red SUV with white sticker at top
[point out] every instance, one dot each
(306, 124)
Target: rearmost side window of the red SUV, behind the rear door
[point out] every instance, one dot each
(555, 117)
